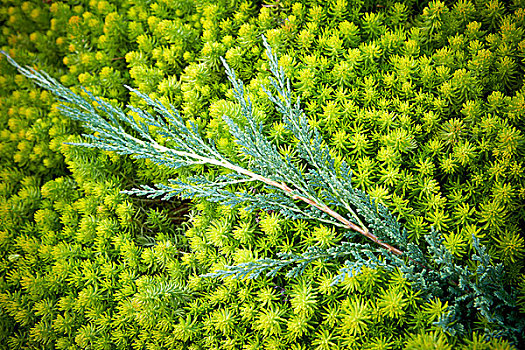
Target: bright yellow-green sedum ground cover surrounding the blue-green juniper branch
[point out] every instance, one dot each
(424, 98)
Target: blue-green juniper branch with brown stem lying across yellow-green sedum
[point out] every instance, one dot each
(324, 185)
